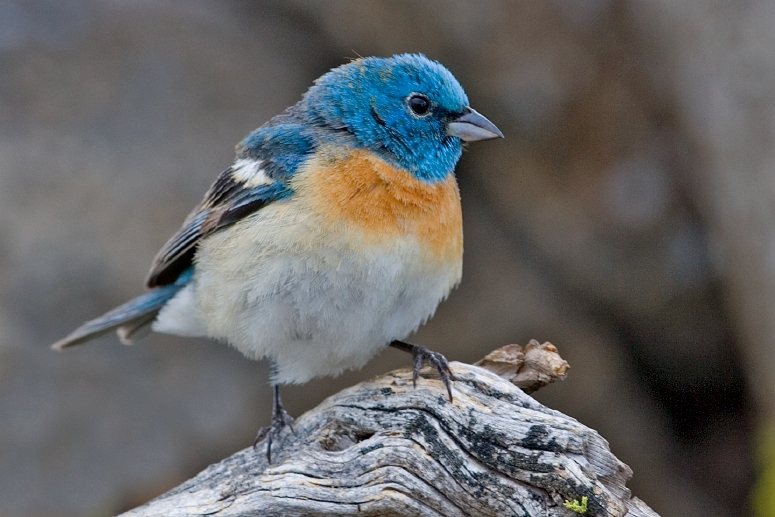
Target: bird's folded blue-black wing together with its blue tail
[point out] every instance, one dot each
(266, 160)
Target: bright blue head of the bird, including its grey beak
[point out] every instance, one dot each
(407, 108)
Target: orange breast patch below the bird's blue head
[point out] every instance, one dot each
(359, 191)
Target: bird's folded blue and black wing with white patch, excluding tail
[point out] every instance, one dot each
(266, 159)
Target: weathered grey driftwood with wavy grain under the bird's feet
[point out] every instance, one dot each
(383, 447)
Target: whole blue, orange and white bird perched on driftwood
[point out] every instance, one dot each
(335, 233)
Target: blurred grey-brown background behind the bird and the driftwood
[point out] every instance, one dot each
(628, 217)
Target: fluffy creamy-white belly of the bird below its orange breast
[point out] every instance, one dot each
(274, 286)
